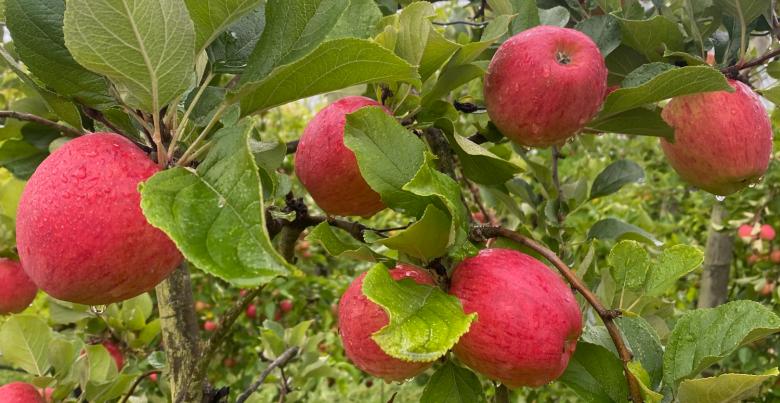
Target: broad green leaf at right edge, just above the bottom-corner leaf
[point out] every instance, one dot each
(705, 336)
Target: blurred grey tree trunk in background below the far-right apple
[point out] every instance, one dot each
(714, 287)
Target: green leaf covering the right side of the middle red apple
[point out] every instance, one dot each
(388, 155)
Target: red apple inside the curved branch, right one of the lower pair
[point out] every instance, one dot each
(528, 321)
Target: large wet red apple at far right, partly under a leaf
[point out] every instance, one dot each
(722, 140)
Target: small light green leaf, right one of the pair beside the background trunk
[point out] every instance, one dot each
(674, 263)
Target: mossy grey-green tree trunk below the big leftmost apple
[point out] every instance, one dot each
(180, 335)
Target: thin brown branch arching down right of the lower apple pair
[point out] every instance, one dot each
(482, 233)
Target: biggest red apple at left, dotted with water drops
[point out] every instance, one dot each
(81, 234)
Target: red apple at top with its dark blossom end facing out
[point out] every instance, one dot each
(544, 84)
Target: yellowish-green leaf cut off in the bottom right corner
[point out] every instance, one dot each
(725, 388)
